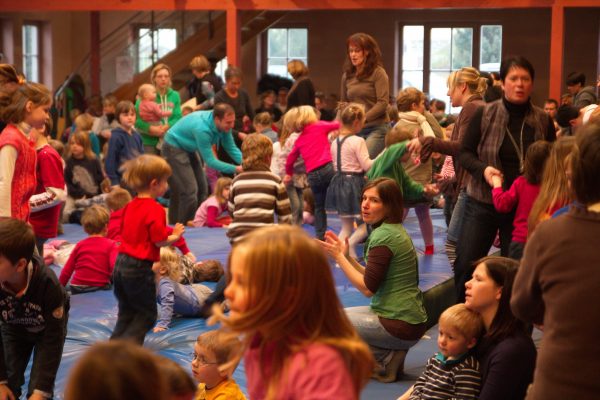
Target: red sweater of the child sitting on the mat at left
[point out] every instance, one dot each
(92, 261)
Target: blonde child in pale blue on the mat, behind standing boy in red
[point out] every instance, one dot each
(173, 297)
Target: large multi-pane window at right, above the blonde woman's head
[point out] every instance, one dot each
(430, 53)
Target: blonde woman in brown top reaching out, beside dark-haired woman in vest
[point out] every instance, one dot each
(465, 88)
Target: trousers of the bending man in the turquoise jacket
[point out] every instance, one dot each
(188, 183)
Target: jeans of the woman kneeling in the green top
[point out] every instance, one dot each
(381, 342)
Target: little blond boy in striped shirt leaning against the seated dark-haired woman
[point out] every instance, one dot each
(453, 373)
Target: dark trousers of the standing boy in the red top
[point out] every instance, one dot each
(135, 290)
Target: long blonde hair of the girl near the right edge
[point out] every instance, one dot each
(554, 189)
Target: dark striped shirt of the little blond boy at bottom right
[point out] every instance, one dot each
(453, 379)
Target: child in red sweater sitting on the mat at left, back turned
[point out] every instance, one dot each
(92, 261)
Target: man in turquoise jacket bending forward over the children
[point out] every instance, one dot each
(197, 133)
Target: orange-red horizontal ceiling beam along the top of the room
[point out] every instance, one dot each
(142, 5)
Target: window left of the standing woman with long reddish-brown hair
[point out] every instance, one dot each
(284, 45)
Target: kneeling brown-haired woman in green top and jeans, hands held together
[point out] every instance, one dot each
(390, 278)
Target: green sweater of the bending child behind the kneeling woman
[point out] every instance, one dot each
(388, 165)
